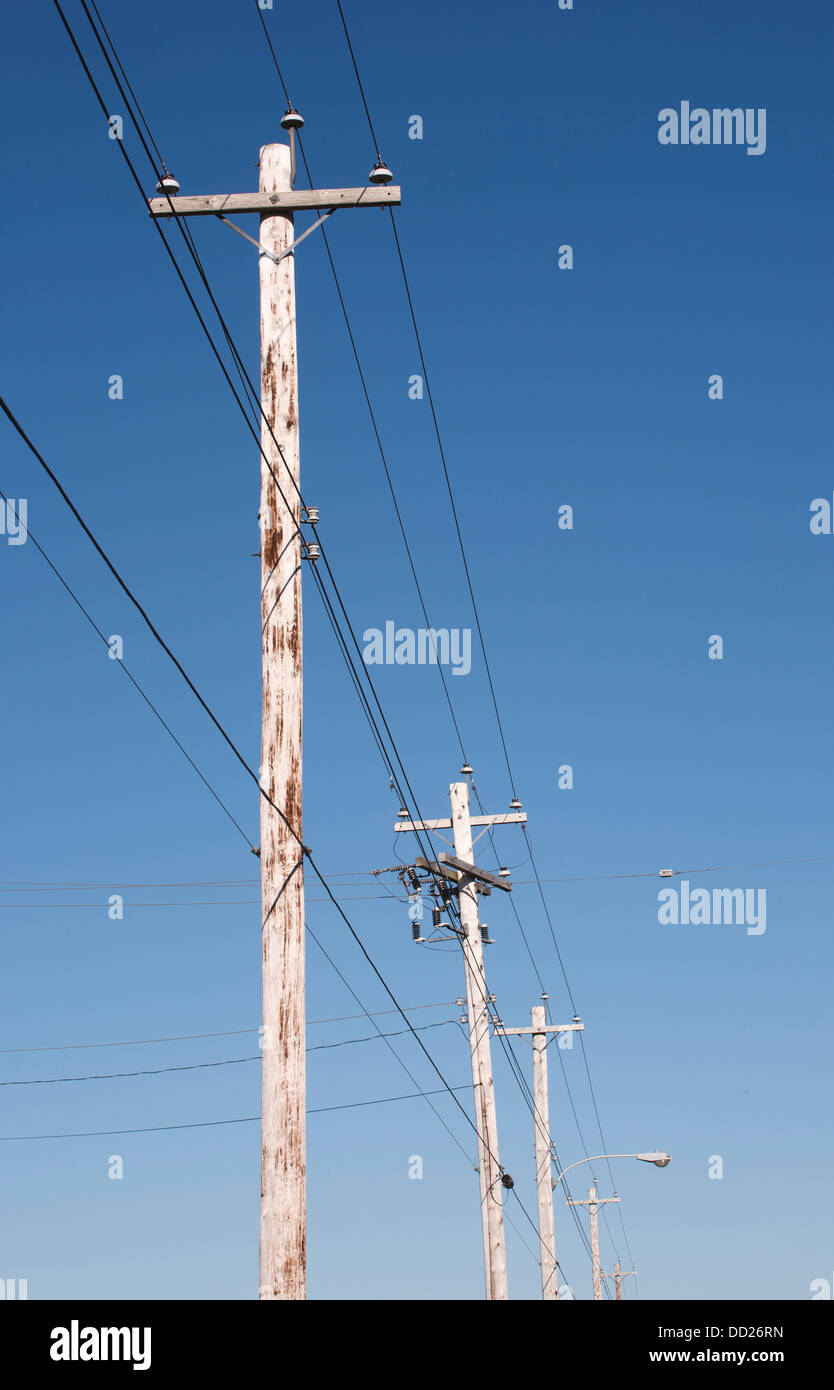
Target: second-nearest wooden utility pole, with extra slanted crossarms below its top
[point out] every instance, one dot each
(471, 881)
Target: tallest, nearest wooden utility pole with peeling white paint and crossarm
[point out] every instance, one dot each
(284, 1207)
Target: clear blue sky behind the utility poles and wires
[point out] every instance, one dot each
(586, 387)
